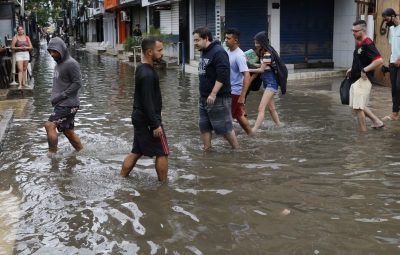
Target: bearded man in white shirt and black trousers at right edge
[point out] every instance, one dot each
(390, 16)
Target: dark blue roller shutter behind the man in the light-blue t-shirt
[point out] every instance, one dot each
(250, 17)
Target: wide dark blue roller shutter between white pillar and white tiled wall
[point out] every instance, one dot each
(306, 31)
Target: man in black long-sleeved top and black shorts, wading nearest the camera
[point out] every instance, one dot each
(149, 138)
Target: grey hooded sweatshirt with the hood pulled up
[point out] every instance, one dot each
(66, 78)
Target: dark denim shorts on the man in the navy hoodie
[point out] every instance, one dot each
(217, 117)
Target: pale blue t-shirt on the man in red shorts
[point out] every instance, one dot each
(238, 64)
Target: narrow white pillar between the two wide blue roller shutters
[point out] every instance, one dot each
(274, 25)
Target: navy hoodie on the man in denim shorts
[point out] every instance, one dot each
(214, 66)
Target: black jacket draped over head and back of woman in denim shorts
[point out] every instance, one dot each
(278, 67)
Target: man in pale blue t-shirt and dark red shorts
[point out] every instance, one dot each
(240, 78)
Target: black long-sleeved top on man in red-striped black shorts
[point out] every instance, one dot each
(147, 102)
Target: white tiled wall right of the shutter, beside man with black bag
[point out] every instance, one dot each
(343, 40)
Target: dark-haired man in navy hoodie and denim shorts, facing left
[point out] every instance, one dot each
(215, 89)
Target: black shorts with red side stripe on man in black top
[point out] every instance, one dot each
(146, 144)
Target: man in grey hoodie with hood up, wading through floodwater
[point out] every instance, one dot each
(64, 96)
